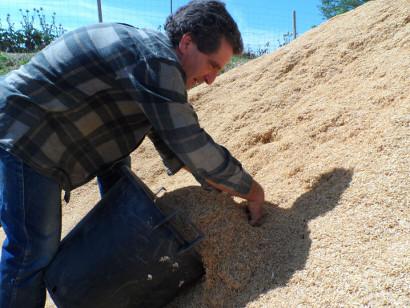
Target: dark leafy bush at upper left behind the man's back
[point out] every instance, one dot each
(28, 37)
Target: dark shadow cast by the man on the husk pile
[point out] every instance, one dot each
(242, 261)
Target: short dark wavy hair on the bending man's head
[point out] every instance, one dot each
(207, 21)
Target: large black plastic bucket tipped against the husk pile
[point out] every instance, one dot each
(123, 253)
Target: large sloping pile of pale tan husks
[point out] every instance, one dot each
(323, 125)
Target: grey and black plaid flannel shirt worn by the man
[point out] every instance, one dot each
(89, 99)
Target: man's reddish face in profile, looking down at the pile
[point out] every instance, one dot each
(200, 67)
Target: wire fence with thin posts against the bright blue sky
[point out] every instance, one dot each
(263, 27)
